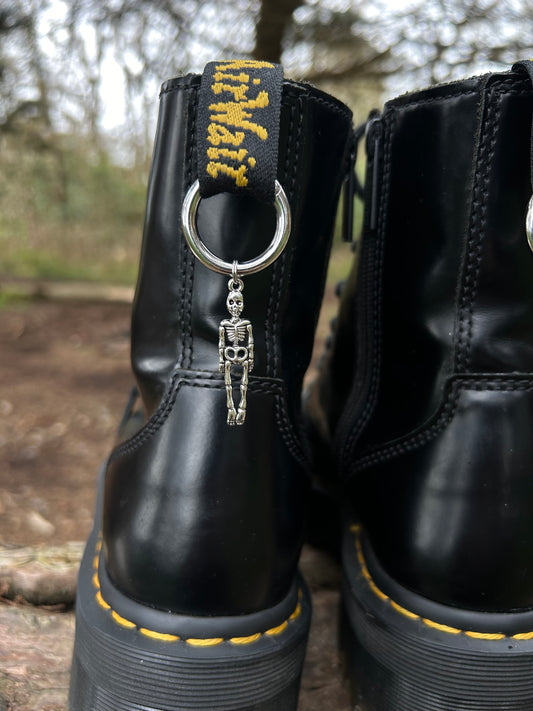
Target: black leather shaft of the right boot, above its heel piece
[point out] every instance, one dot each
(449, 251)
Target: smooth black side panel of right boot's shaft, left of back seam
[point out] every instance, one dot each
(424, 202)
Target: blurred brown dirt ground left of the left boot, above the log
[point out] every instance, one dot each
(64, 379)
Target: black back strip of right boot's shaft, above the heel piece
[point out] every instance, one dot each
(502, 333)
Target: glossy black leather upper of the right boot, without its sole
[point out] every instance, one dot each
(434, 439)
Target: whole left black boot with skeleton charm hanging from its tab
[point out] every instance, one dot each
(189, 596)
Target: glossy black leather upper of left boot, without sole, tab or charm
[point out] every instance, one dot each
(201, 518)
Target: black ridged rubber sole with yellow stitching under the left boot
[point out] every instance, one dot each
(137, 659)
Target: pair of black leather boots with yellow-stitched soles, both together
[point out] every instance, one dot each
(419, 427)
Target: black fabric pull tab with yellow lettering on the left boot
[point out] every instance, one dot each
(237, 132)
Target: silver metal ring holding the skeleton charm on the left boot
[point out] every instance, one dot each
(208, 259)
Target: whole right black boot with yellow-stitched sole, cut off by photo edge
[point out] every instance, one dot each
(426, 400)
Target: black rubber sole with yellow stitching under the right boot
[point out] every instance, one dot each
(399, 659)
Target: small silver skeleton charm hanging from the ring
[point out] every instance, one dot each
(235, 348)
